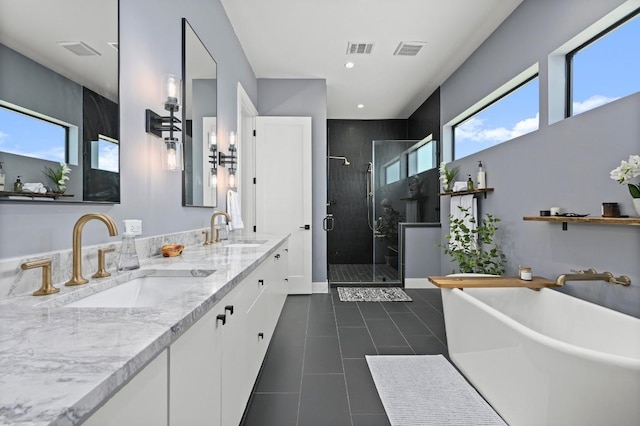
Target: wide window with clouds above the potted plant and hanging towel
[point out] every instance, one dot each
(513, 114)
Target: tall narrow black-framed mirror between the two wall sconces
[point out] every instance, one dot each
(200, 94)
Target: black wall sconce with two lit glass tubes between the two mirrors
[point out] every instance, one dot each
(155, 124)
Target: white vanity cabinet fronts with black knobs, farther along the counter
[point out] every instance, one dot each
(213, 365)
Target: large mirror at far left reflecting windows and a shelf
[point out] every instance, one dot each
(59, 98)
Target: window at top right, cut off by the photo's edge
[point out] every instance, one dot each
(605, 68)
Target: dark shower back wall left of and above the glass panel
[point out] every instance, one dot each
(351, 239)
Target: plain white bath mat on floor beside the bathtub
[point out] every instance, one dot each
(426, 390)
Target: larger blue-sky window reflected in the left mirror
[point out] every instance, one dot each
(31, 136)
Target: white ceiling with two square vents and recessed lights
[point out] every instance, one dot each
(308, 39)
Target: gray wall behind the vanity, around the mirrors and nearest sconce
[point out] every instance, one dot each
(150, 45)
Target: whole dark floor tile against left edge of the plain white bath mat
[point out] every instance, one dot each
(363, 396)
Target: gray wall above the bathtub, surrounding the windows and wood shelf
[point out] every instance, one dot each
(566, 164)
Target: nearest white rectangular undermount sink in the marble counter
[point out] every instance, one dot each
(144, 291)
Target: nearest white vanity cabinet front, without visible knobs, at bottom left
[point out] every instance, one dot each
(142, 401)
